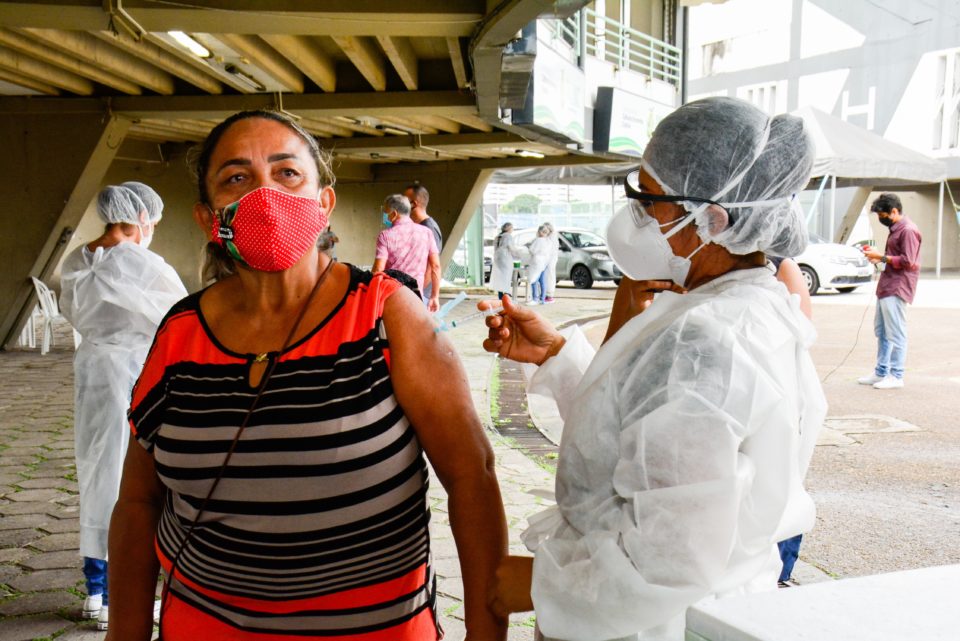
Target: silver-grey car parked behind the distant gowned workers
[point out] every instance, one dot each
(583, 256)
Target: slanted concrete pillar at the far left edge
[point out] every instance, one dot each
(51, 167)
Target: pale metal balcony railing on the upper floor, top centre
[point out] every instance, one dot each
(616, 43)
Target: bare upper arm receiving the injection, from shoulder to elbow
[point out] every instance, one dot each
(431, 386)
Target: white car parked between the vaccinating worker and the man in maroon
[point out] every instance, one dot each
(827, 265)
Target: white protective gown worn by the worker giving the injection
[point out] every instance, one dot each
(684, 449)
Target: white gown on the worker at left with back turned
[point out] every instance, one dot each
(115, 297)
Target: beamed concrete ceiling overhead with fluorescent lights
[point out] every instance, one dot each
(377, 81)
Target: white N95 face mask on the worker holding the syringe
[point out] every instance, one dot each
(641, 250)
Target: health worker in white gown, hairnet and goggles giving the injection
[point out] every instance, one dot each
(688, 434)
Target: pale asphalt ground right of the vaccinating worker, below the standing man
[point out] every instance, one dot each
(888, 501)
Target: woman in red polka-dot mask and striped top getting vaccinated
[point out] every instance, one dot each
(305, 516)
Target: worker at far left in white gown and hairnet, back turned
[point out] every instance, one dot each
(115, 292)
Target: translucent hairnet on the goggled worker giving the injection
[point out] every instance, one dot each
(728, 151)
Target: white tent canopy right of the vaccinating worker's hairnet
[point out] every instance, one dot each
(860, 157)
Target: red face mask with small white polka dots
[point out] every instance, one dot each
(269, 230)
